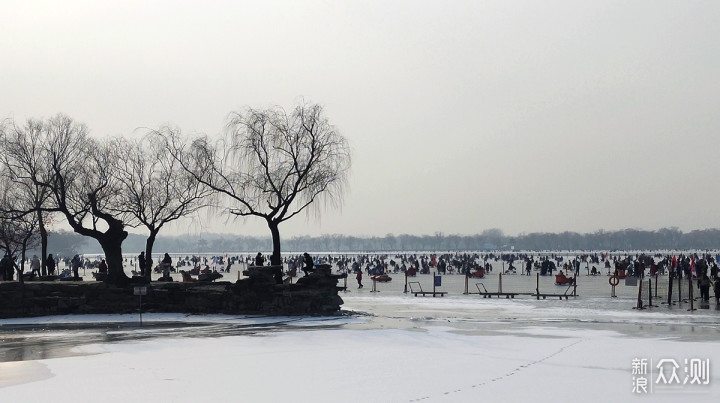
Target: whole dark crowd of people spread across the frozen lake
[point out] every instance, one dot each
(702, 267)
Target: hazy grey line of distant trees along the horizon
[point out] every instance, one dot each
(627, 239)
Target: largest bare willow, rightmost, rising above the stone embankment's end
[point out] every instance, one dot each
(272, 164)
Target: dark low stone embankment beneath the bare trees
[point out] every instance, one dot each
(316, 294)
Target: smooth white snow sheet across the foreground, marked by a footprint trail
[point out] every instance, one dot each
(424, 364)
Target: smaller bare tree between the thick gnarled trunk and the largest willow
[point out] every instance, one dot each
(156, 190)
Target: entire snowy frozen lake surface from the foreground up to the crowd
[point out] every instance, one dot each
(388, 347)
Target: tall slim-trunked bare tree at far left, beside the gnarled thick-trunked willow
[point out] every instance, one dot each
(24, 164)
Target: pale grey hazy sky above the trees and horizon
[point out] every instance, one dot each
(462, 115)
